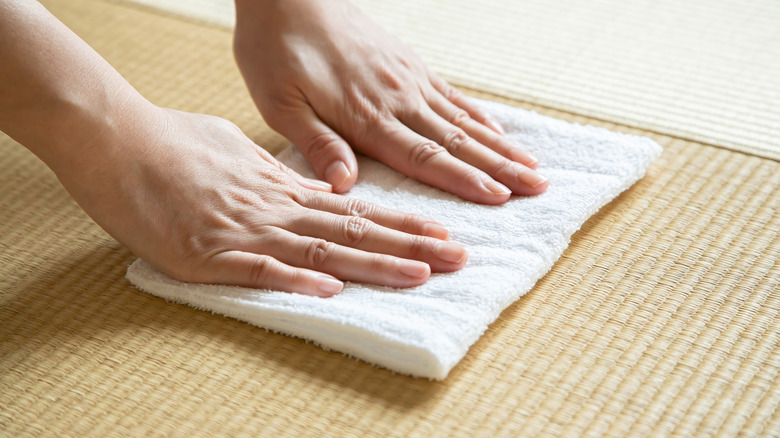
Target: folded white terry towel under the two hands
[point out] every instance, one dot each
(425, 331)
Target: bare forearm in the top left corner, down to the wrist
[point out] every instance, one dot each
(60, 99)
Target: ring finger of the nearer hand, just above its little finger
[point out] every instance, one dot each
(345, 263)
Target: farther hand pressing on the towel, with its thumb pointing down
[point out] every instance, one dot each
(326, 77)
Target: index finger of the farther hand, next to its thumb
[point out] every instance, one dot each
(426, 161)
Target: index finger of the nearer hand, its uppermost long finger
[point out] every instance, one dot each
(406, 222)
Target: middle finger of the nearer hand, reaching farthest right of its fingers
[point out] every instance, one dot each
(357, 232)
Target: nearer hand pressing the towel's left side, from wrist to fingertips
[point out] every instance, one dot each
(192, 195)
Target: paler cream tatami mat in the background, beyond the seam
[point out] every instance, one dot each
(705, 70)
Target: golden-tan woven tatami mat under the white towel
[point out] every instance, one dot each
(660, 319)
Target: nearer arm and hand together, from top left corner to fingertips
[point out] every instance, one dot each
(190, 193)
